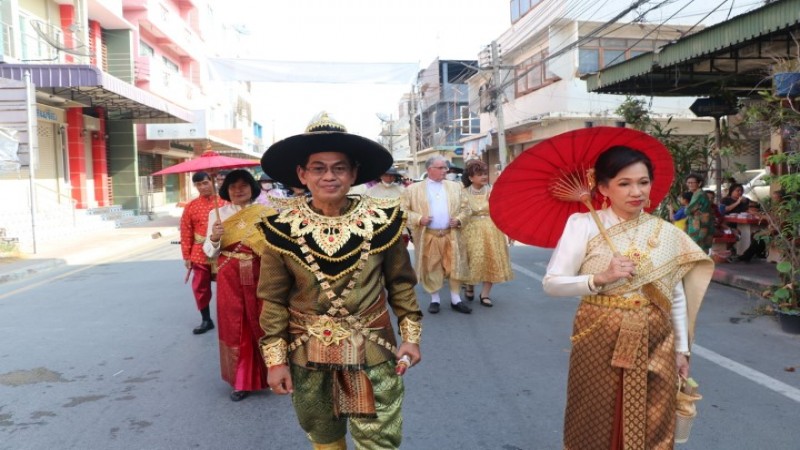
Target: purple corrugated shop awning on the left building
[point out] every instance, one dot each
(90, 86)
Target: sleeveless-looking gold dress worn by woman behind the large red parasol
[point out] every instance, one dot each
(487, 246)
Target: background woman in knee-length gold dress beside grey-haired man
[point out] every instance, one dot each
(487, 247)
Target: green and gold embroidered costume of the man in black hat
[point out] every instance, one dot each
(324, 282)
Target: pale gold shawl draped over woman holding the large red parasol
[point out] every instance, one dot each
(665, 256)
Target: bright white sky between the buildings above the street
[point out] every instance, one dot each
(407, 31)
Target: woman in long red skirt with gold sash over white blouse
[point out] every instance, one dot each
(235, 239)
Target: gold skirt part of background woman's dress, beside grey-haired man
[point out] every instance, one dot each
(487, 252)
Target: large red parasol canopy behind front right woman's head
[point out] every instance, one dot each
(522, 203)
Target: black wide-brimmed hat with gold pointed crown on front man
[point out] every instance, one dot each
(281, 159)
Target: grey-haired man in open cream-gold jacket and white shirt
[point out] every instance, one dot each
(435, 216)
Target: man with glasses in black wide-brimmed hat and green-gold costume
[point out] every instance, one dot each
(329, 263)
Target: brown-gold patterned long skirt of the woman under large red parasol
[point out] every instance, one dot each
(613, 408)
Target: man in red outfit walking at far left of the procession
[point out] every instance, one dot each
(194, 225)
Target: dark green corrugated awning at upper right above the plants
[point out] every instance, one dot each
(734, 55)
